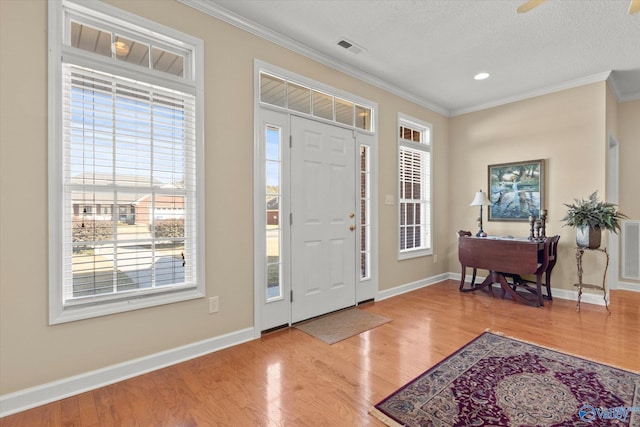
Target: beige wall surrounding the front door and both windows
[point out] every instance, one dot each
(33, 353)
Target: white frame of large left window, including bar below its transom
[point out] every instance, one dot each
(60, 52)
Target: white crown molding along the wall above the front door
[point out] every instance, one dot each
(254, 28)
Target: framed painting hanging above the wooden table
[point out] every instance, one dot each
(516, 190)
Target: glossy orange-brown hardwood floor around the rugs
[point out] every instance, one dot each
(288, 378)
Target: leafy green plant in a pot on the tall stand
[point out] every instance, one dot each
(589, 216)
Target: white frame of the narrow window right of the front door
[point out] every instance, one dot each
(426, 131)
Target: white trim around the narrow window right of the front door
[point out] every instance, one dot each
(404, 119)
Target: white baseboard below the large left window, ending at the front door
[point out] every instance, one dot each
(39, 395)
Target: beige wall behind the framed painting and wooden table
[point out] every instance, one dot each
(567, 129)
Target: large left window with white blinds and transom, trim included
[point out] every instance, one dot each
(125, 163)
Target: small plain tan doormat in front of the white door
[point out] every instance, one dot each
(343, 324)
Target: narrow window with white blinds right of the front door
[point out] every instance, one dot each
(414, 166)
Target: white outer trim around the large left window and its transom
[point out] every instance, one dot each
(57, 312)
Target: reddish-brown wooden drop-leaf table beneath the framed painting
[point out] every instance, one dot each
(502, 256)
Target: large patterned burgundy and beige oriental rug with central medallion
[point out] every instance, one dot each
(500, 381)
